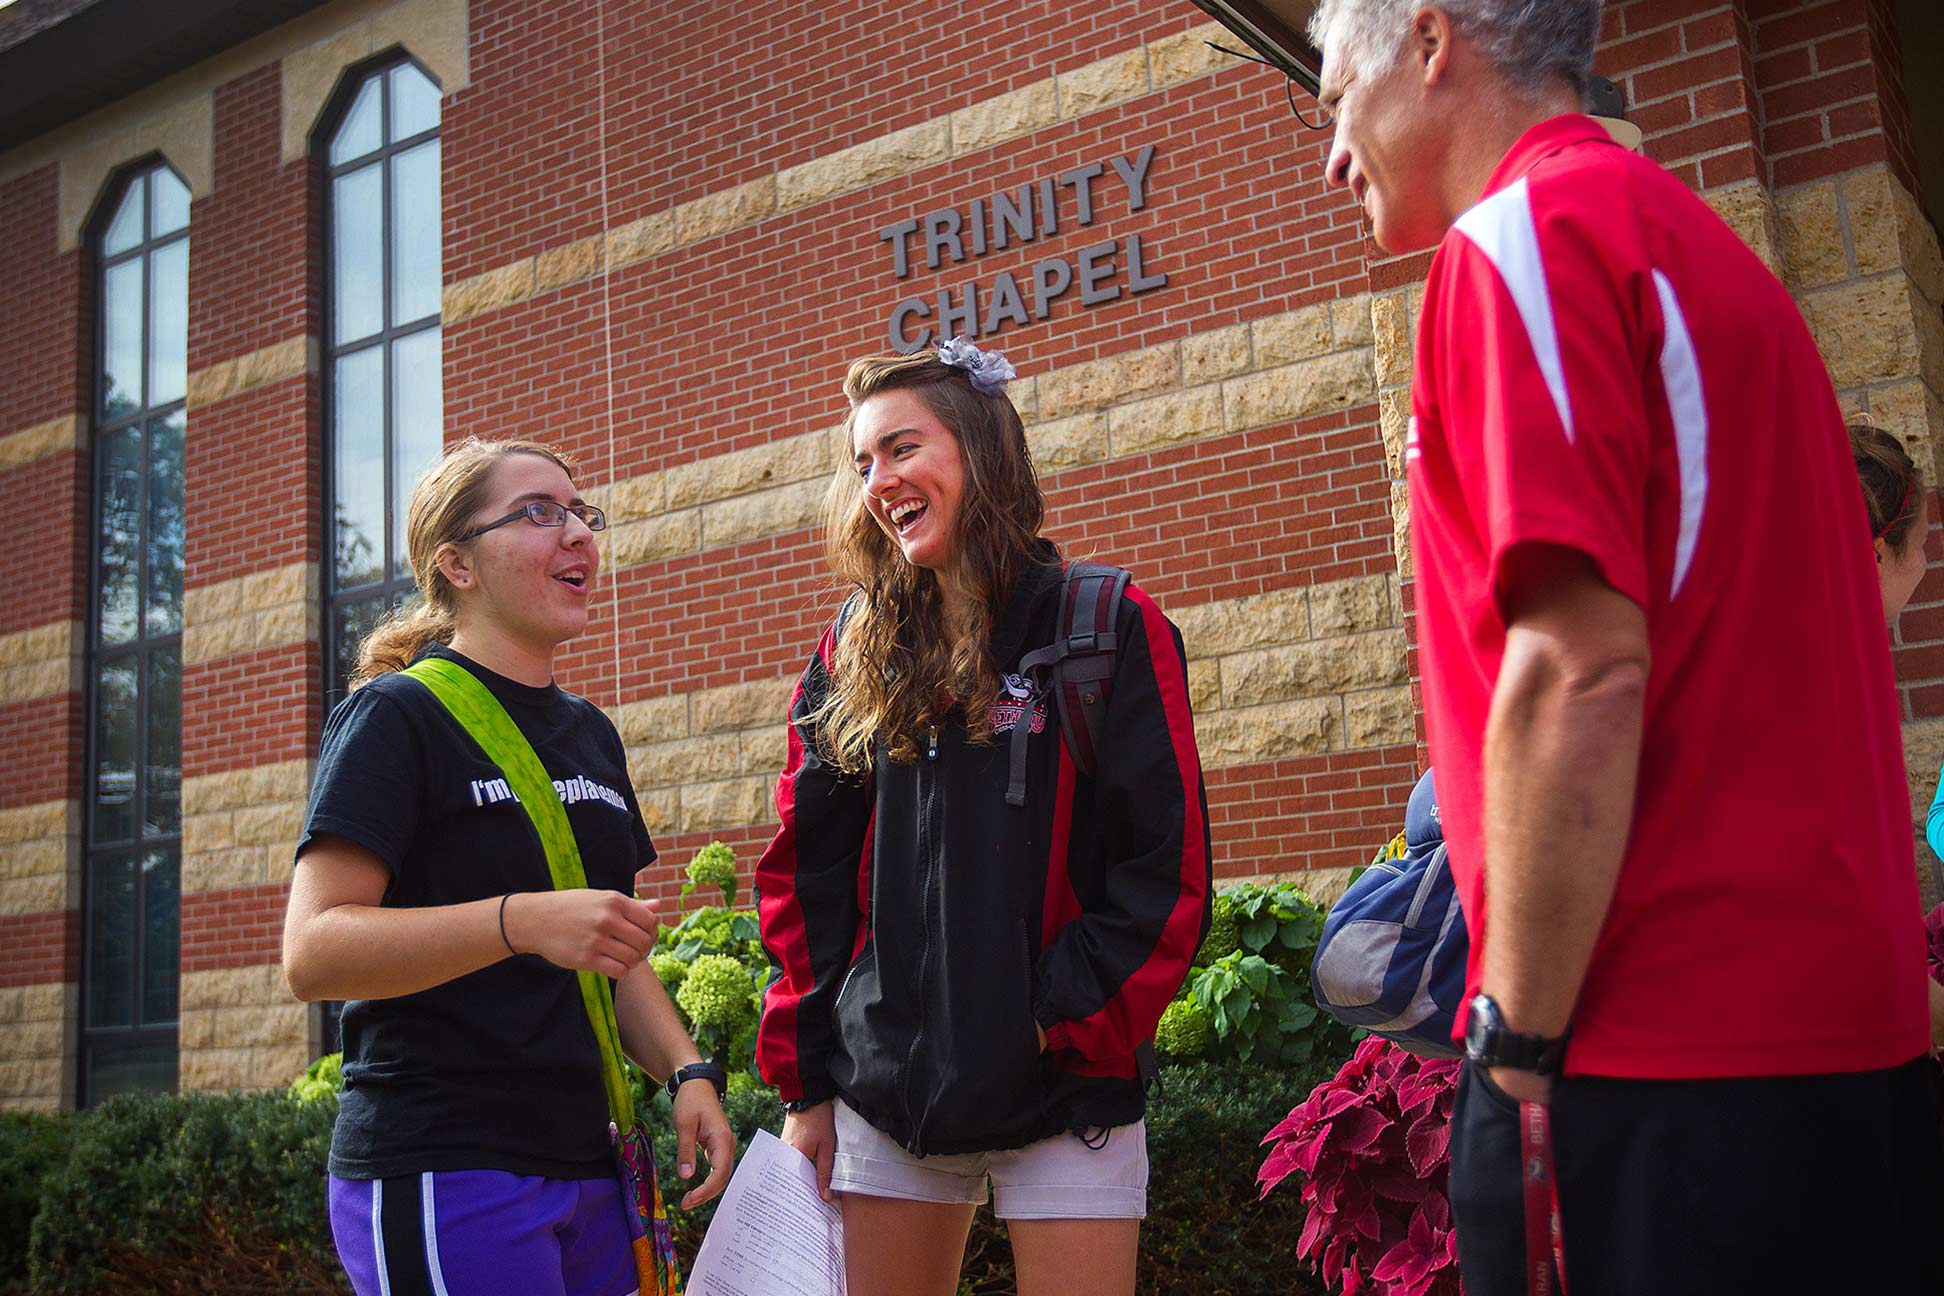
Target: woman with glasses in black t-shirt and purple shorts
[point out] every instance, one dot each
(471, 1149)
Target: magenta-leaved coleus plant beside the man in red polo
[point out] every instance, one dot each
(1373, 1145)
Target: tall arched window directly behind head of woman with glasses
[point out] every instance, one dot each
(384, 395)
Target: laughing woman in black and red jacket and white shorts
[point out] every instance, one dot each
(971, 953)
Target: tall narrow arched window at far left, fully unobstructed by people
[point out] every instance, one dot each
(135, 679)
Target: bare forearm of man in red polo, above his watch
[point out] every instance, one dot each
(1562, 757)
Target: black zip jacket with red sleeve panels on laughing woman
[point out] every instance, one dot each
(919, 926)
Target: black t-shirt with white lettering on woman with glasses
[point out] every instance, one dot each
(497, 1070)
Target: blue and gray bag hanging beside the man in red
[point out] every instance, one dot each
(1395, 947)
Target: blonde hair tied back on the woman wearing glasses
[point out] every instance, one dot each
(444, 506)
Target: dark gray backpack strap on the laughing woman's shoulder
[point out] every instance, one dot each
(1078, 669)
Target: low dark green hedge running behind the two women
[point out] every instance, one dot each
(226, 1194)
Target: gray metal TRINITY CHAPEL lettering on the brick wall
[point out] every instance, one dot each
(1031, 213)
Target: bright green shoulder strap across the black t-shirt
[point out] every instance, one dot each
(499, 737)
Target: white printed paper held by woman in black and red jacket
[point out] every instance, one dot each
(773, 1235)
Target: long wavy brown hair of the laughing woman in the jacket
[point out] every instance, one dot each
(901, 667)
